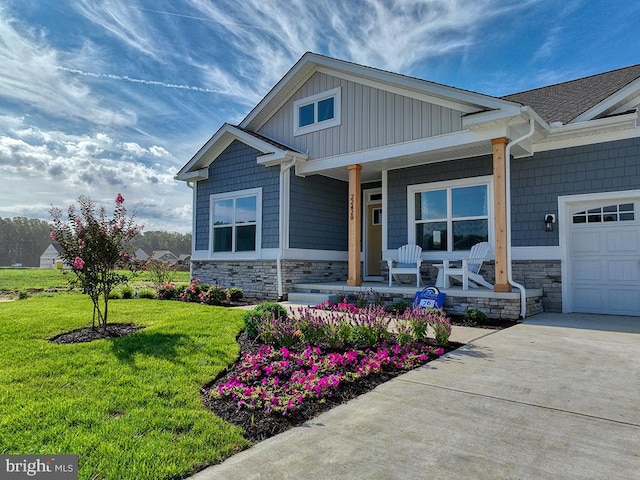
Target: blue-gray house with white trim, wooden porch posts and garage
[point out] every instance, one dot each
(340, 164)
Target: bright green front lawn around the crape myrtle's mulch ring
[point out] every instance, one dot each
(130, 407)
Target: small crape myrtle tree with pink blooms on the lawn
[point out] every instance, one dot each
(97, 248)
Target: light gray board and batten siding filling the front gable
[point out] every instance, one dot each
(370, 118)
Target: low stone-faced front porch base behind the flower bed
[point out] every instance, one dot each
(503, 305)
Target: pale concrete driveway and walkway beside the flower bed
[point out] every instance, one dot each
(557, 397)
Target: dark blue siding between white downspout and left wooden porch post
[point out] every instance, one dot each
(318, 213)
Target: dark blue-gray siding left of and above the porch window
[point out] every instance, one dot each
(399, 180)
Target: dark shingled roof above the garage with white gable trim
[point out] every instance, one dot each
(585, 98)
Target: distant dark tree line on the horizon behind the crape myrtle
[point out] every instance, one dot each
(22, 240)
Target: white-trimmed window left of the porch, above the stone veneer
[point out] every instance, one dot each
(236, 221)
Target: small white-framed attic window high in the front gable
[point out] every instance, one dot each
(316, 112)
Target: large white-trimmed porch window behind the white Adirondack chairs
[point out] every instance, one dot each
(450, 216)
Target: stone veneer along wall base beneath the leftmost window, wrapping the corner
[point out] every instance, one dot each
(259, 279)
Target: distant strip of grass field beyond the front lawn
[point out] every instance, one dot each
(14, 279)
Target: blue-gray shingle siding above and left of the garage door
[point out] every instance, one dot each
(537, 182)
